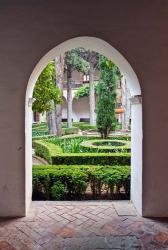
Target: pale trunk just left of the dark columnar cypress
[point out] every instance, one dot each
(91, 96)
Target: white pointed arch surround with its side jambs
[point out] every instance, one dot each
(110, 52)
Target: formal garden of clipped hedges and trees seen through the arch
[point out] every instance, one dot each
(83, 160)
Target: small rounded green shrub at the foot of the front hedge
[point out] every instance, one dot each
(57, 191)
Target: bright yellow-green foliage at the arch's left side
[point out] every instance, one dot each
(45, 90)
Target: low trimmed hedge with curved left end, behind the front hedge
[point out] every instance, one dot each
(53, 154)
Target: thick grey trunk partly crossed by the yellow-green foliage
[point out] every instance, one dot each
(59, 69)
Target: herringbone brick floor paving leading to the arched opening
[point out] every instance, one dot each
(83, 225)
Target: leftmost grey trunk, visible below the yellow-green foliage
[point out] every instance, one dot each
(51, 121)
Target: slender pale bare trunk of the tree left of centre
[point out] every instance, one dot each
(69, 97)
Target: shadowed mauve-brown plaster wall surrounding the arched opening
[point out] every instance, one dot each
(138, 29)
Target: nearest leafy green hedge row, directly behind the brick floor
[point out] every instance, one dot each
(66, 182)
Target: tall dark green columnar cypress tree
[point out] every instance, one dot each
(106, 119)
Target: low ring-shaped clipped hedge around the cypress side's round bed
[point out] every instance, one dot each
(90, 146)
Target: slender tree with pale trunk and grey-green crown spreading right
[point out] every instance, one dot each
(73, 61)
